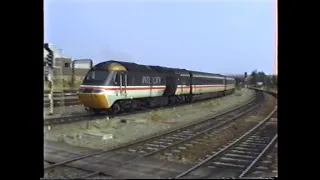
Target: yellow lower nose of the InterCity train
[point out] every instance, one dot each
(93, 98)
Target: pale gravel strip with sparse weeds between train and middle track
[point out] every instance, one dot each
(124, 129)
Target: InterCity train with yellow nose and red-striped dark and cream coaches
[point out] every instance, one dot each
(115, 86)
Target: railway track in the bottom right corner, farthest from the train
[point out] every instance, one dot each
(239, 158)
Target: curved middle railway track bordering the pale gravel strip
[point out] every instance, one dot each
(183, 135)
